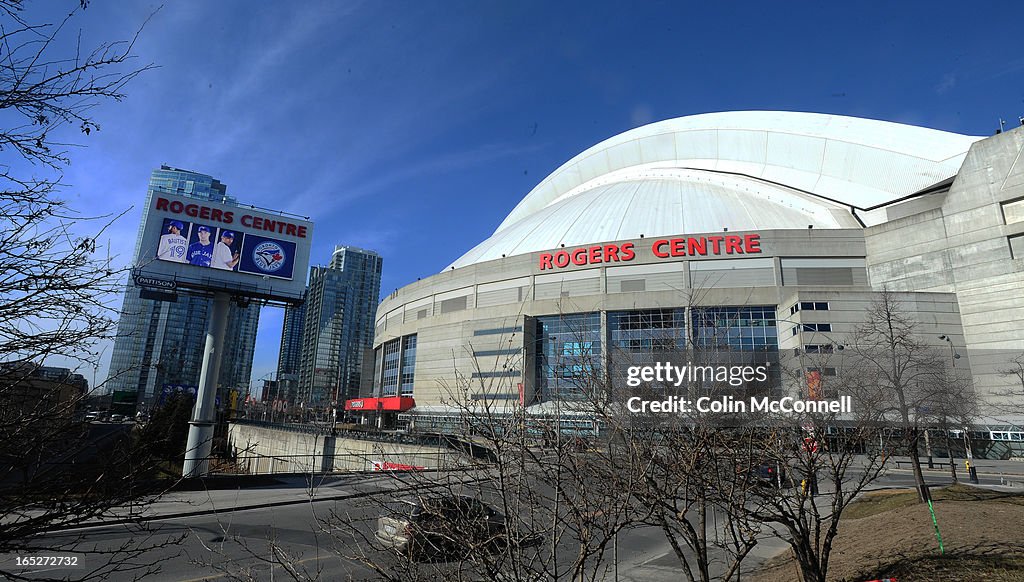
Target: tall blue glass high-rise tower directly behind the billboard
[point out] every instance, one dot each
(160, 344)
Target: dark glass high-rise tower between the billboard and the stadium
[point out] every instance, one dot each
(338, 328)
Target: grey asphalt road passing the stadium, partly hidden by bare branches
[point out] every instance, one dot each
(258, 530)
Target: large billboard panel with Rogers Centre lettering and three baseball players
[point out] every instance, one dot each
(208, 246)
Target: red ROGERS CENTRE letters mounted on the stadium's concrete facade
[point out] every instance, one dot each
(662, 248)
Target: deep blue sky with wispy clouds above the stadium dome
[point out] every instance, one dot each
(412, 129)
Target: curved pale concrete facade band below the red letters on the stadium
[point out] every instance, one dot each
(503, 295)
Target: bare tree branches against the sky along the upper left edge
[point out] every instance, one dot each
(57, 285)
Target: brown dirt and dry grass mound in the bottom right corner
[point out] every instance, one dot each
(982, 533)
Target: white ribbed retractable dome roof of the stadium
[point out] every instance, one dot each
(736, 171)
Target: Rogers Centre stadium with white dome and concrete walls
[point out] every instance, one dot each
(788, 226)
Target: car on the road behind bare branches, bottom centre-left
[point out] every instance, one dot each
(443, 526)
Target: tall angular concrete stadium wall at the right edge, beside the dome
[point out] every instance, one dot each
(960, 242)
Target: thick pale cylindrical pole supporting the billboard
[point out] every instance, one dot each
(197, 463)
